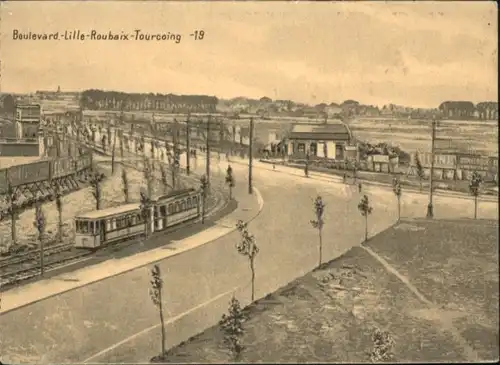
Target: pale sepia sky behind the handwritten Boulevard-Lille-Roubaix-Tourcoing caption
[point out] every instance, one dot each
(411, 53)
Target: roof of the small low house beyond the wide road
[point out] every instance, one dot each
(333, 130)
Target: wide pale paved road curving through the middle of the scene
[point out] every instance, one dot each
(114, 320)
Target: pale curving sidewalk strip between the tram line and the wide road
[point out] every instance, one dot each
(249, 206)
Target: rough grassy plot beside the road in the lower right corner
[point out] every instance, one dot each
(330, 314)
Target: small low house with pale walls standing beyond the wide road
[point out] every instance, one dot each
(326, 140)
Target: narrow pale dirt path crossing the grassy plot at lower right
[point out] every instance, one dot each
(434, 312)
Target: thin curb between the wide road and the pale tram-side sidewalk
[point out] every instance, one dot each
(260, 202)
